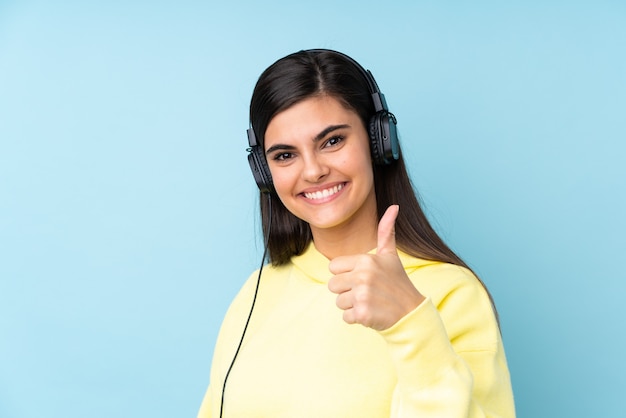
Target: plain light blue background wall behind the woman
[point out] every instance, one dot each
(128, 213)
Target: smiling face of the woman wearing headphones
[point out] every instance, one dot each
(319, 157)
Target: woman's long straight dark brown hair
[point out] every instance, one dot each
(306, 74)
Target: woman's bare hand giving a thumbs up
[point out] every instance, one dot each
(373, 289)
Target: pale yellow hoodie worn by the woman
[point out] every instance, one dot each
(300, 359)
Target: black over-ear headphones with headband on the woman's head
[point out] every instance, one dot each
(382, 133)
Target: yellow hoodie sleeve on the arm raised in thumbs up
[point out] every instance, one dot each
(448, 352)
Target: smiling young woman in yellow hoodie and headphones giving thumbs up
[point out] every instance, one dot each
(364, 311)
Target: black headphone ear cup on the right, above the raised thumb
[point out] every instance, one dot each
(383, 138)
